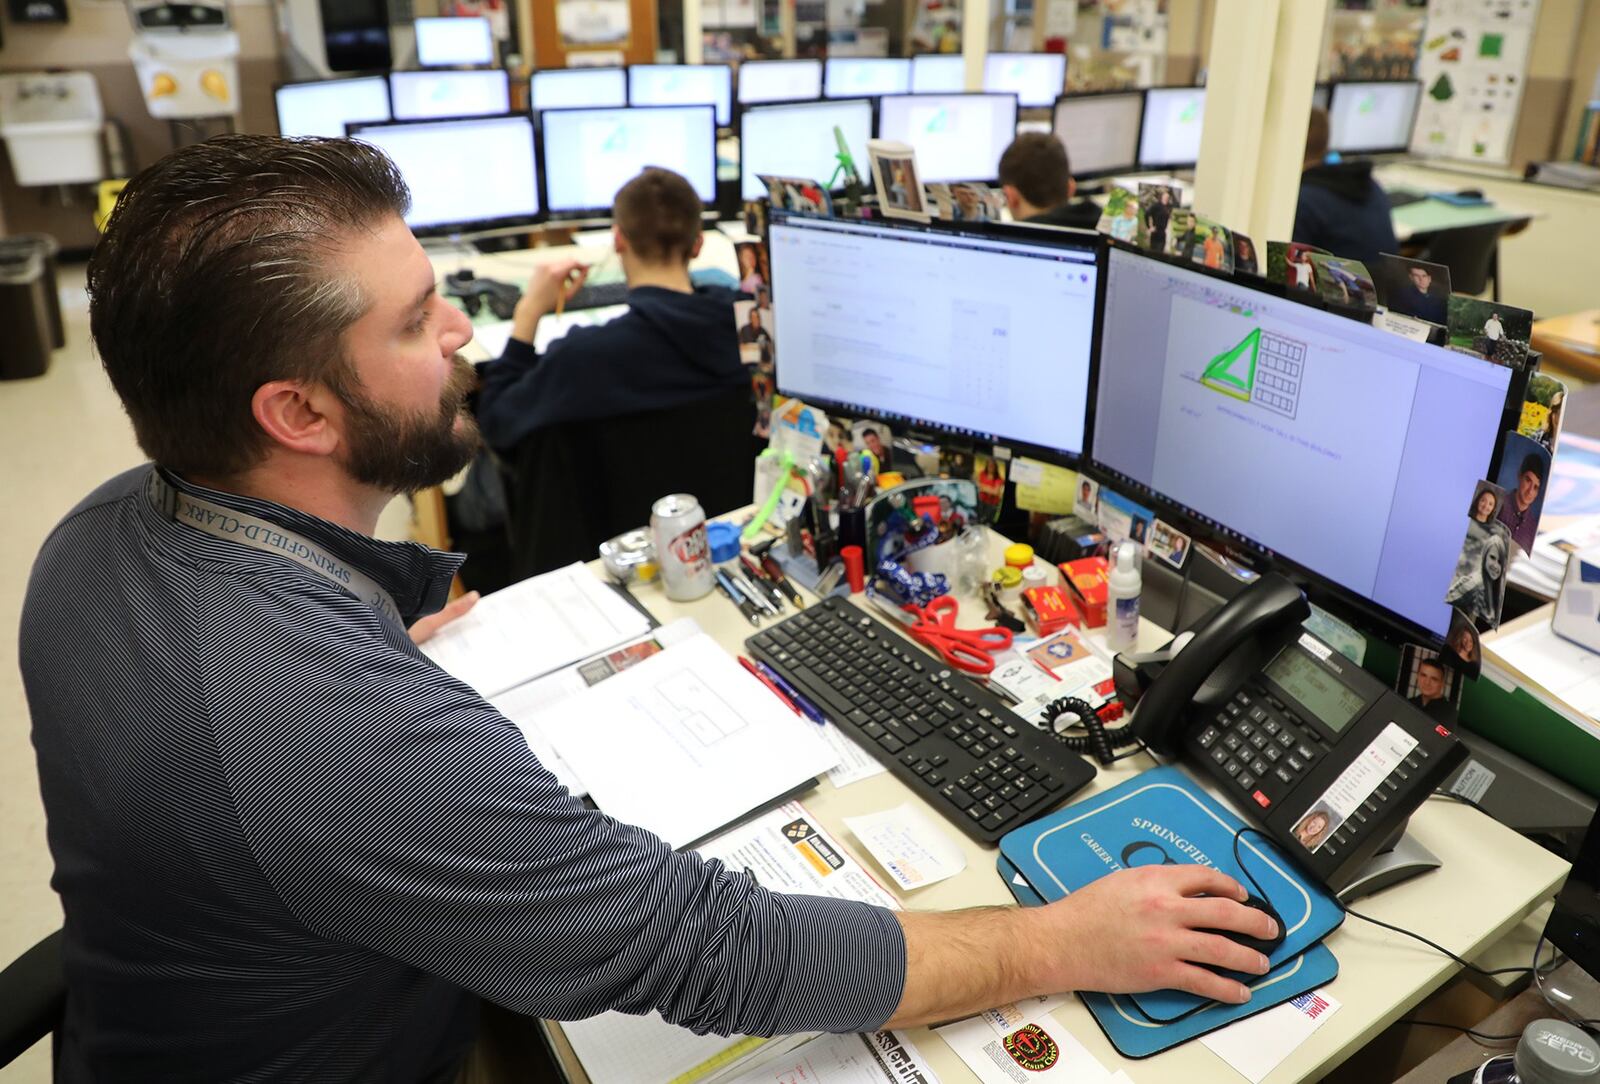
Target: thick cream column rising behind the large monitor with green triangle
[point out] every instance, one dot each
(1263, 70)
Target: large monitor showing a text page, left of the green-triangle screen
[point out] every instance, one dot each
(985, 333)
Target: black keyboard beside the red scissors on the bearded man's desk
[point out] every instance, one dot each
(943, 735)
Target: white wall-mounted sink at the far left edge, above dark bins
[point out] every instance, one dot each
(52, 127)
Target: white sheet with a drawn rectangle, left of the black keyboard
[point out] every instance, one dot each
(686, 743)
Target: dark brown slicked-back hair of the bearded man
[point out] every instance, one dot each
(215, 277)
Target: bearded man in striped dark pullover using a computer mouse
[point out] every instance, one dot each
(290, 847)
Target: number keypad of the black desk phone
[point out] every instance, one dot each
(1260, 744)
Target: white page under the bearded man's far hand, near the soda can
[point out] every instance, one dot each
(534, 628)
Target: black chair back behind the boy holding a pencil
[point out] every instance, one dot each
(569, 488)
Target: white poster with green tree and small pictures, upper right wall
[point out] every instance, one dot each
(1473, 68)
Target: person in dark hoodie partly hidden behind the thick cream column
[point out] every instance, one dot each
(1342, 209)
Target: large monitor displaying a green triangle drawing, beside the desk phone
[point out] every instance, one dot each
(1321, 440)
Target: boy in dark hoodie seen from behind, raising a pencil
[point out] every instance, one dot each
(673, 348)
